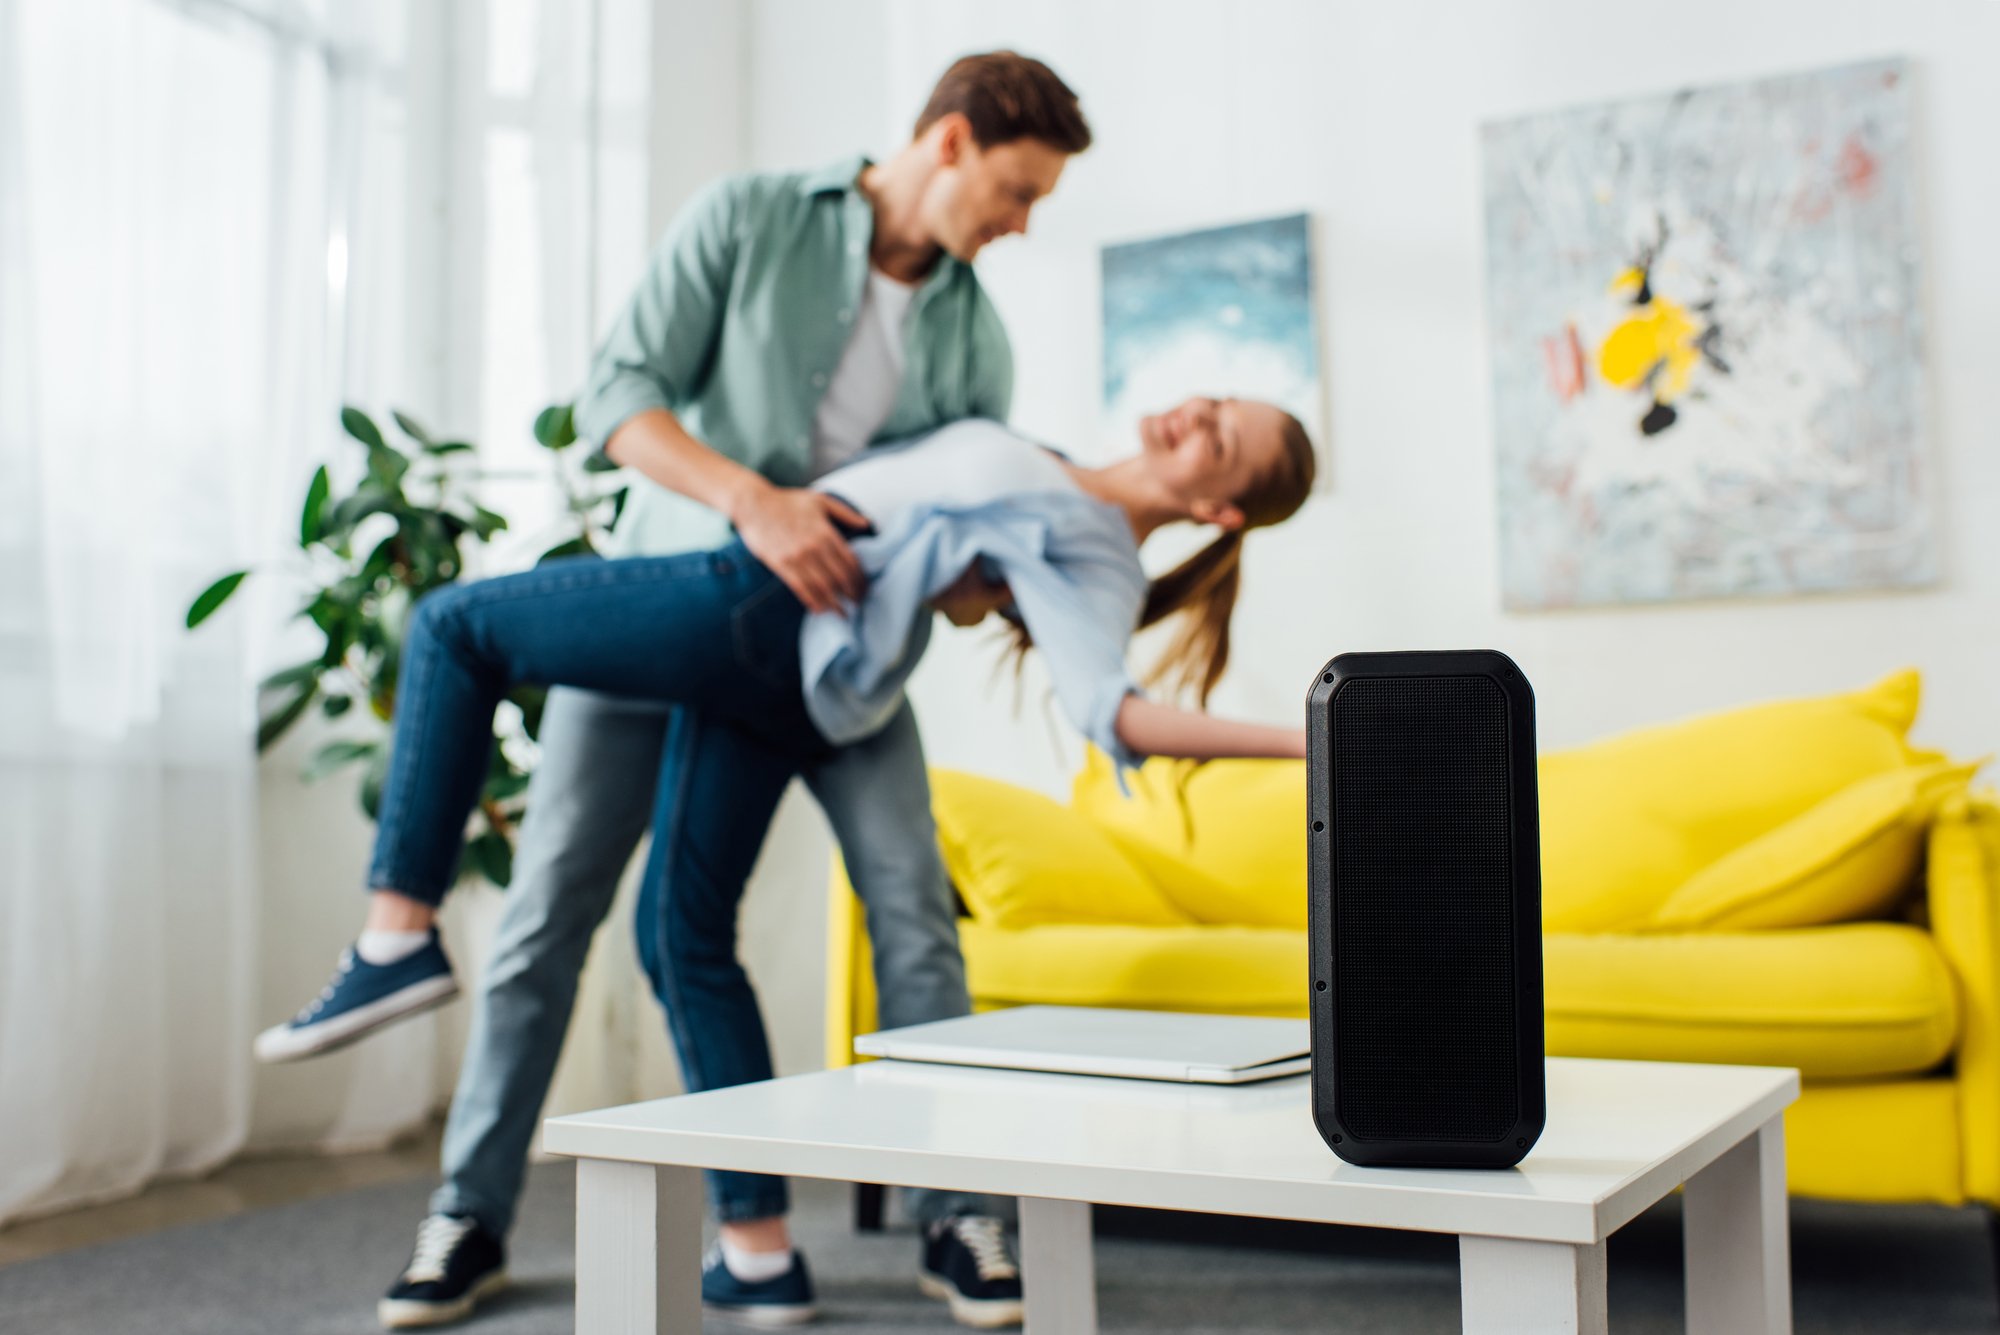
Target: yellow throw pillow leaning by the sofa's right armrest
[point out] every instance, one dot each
(1851, 856)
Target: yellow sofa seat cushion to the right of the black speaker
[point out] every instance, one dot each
(1835, 1002)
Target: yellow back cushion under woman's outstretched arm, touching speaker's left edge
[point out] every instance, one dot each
(1225, 840)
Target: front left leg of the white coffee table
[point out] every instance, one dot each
(639, 1250)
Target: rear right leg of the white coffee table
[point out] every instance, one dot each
(1737, 1240)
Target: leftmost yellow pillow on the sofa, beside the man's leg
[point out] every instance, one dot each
(1019, 858)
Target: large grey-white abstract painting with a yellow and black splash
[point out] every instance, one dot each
(1705, 345)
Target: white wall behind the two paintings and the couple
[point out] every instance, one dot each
(1369, 115)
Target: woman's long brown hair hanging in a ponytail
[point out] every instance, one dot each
(1203, 589)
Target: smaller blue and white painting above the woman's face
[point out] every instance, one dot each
(1227, 313)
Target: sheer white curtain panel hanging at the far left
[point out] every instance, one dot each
(147, 341)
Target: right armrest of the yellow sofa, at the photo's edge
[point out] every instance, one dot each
(1965, 918)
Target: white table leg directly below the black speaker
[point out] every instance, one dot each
(1521, 1288)
